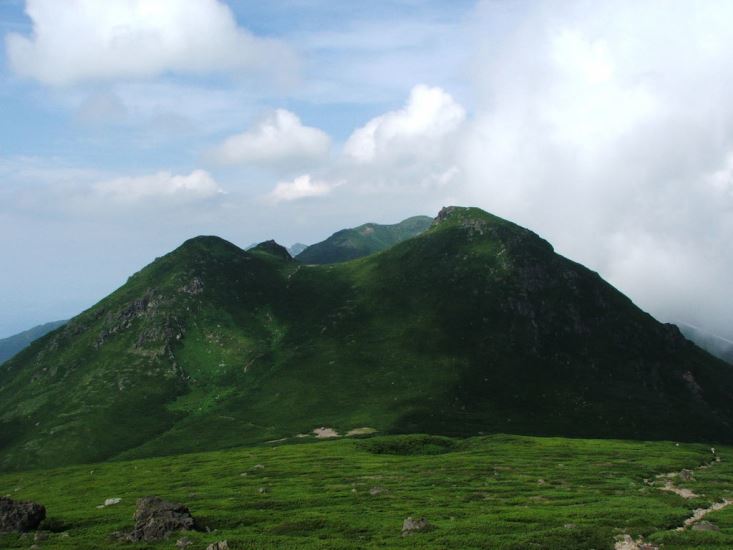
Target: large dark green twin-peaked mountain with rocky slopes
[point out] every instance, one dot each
(474, 326)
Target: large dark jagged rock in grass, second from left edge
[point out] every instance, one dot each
(156, 519)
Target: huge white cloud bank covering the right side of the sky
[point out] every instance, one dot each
(608, 128)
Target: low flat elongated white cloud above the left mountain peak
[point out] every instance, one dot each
(196, 185)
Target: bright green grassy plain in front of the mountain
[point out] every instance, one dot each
(484, 492)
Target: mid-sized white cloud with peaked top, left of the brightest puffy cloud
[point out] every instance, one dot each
(278, 138)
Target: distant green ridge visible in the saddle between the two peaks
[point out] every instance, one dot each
(349, 244)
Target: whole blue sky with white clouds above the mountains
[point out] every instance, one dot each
(128, 126)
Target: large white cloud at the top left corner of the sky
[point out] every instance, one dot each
(80, 40)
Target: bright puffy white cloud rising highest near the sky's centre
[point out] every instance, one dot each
(430, 116)
